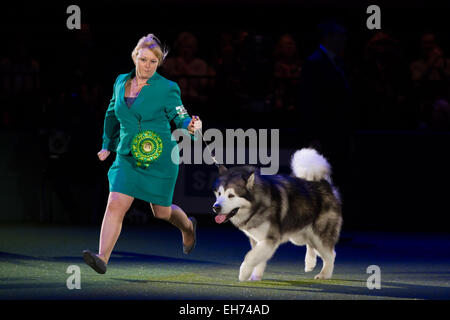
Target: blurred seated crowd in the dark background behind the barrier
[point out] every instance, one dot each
(246, 73)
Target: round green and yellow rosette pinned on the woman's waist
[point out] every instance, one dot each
(146, 147)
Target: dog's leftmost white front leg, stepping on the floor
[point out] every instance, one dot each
(260, 253)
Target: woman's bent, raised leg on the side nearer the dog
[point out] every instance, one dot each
(176, 216)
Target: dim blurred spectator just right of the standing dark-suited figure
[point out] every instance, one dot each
(384, 85)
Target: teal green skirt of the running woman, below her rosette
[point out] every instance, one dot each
(154, 184)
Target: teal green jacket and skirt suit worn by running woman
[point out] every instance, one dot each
(157, 104)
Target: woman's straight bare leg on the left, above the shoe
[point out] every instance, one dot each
(118, 205)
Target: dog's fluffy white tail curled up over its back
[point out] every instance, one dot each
(308, 164)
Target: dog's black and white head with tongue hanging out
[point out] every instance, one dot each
(233, 190)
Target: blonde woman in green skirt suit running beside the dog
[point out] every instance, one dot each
(137, 127)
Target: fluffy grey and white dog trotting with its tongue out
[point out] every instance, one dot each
(303, 208)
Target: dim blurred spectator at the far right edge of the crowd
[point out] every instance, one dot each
(431, 76)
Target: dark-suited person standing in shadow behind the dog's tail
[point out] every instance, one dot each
(325, 106)
